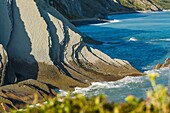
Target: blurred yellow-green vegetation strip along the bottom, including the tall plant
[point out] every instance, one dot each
(157, 101)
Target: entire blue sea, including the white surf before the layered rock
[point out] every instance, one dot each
(143, 39)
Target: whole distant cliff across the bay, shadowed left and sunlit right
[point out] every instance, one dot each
(74, 9)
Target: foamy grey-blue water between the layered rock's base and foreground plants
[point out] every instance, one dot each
(128, 85)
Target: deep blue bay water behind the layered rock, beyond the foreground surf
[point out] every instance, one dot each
(151, 31)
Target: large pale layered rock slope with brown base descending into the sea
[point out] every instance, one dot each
(44, 47)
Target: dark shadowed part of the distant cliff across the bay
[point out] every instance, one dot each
(74, 9)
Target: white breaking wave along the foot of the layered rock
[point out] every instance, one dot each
(127, 82)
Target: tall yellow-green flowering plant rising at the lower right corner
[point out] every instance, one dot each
(158, 98)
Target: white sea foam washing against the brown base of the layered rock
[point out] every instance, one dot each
(126, 84)
